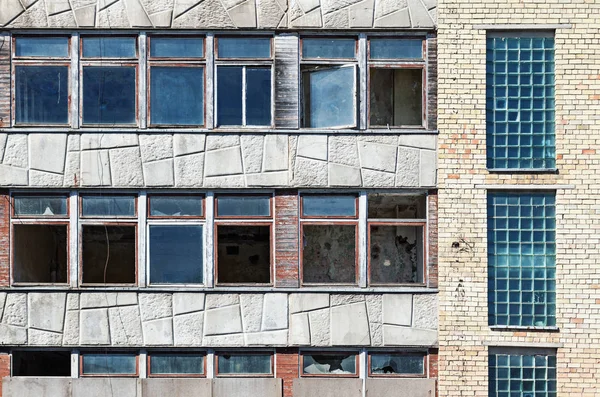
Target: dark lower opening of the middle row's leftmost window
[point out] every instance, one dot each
(40, 253)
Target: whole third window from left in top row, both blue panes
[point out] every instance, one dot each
(176, 80)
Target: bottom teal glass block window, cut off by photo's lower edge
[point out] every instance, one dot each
(517, 375)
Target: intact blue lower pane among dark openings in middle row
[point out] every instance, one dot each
(176, 254)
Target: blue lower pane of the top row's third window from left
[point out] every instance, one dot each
(177, 95)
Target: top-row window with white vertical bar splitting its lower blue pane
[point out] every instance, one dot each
(244, 75)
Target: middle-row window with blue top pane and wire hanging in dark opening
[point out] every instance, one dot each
(108, 239)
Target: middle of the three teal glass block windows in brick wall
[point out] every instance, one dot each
(521, 259)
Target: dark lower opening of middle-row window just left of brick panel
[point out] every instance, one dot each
(244, 254)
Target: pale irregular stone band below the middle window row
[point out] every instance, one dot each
(229, 320)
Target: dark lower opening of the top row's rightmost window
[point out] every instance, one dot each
(396, 97)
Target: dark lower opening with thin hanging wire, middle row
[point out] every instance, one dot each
(109, 254)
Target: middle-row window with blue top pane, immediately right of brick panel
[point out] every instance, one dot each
(329, 239)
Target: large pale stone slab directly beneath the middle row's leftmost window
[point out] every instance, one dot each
(47, 311)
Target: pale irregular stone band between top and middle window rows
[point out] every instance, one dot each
(213, 160)
